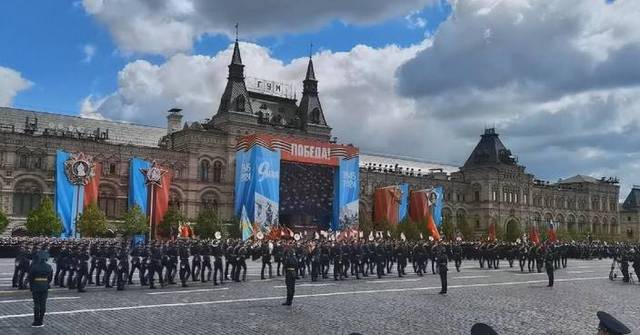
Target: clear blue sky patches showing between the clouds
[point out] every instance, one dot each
(47, 39)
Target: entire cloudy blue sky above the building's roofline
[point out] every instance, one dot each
(558, 79)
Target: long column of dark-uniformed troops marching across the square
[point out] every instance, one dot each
(114, 262)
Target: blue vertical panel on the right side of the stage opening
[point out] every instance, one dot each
(346, 199)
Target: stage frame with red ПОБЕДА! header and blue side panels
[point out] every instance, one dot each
(257, 186)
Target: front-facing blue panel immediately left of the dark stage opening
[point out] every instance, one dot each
(267, 187)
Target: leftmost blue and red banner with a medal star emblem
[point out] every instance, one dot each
(76, 181)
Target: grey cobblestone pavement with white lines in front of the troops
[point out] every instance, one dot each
(511, 301)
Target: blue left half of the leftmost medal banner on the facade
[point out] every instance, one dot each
(66, 196)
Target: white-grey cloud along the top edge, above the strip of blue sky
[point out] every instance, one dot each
(169, 27)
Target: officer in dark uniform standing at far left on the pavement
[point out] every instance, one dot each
(40, 277)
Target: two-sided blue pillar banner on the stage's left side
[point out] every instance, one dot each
(257, 192)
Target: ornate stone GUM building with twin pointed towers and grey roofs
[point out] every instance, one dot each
(489, 188)
